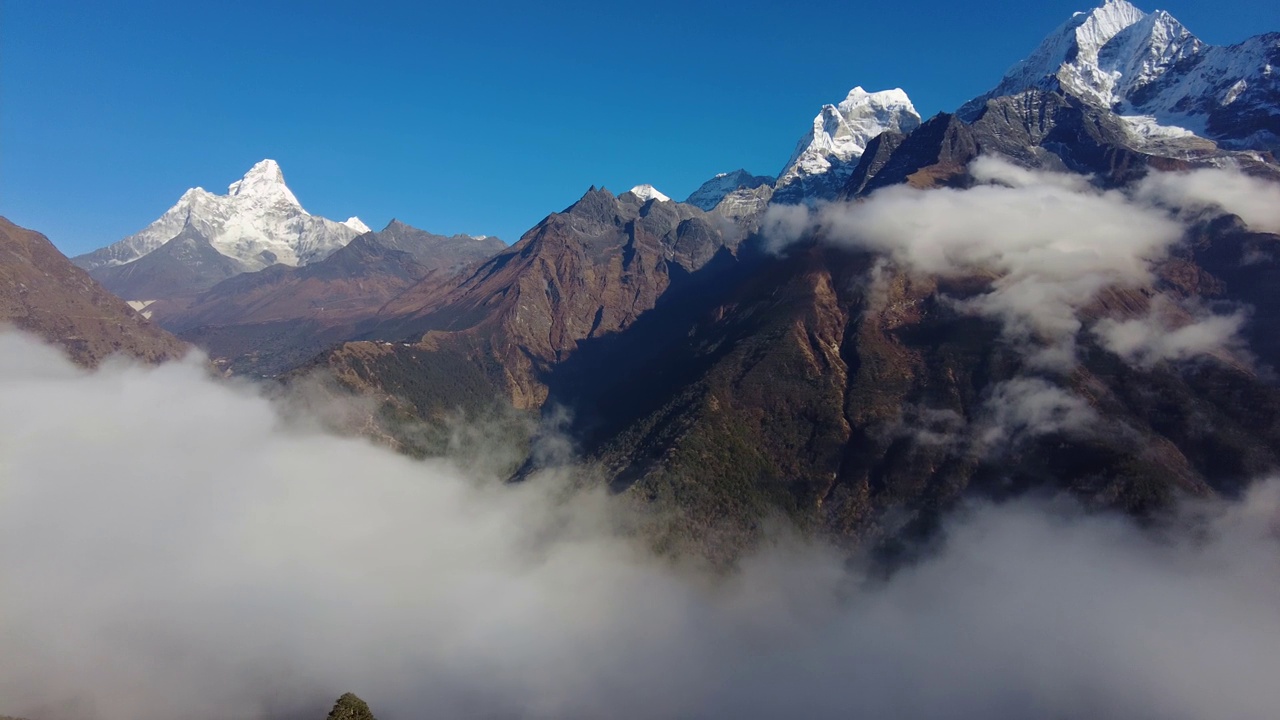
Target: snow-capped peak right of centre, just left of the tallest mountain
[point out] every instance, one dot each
(826, 157)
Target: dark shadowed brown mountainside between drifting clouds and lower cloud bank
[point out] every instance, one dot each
(792, 389)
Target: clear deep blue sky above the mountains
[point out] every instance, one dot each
(476, 116)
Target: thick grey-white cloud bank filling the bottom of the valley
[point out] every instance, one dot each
(172, 546)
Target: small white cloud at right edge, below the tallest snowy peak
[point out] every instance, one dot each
(1255, 200)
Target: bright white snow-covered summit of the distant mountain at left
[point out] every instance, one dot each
(259, 224)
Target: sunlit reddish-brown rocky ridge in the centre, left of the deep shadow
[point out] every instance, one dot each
(583, 274)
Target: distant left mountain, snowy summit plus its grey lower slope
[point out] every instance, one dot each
(257, 225)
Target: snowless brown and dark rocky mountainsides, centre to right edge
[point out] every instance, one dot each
(728, 382)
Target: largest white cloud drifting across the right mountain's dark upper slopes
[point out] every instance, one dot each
(1049, 240)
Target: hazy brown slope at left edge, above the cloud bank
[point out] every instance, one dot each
(43, 293)
